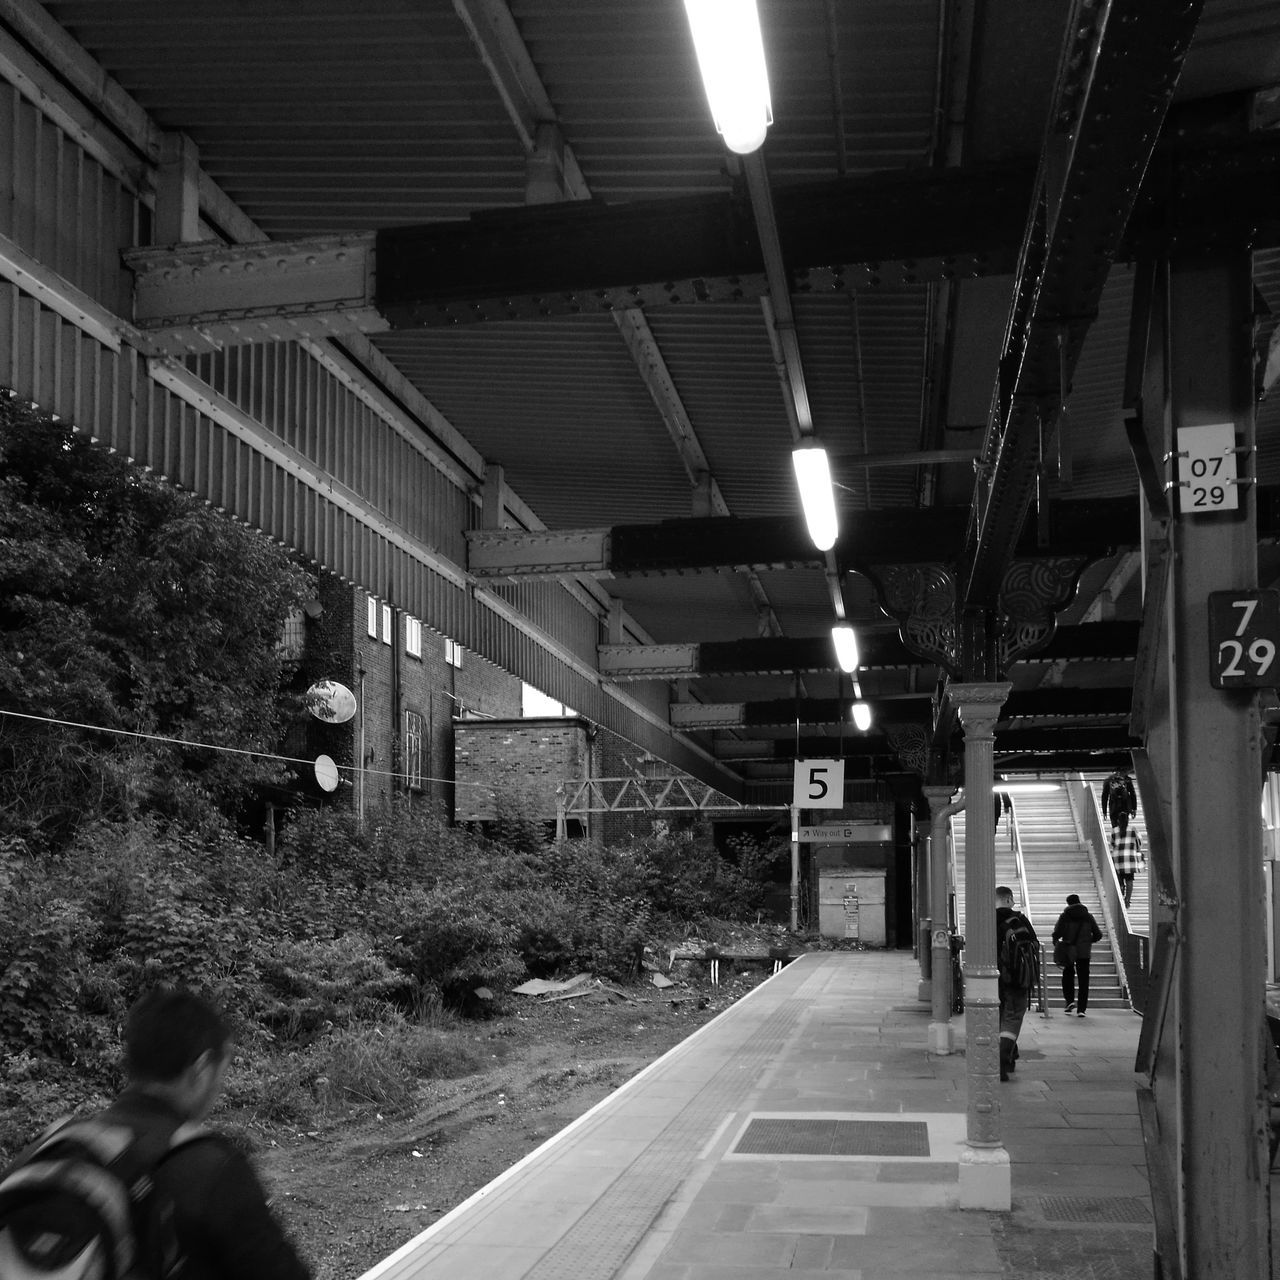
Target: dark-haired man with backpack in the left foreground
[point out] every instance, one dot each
(140, 1190)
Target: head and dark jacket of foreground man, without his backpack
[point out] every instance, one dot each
(176, 1054)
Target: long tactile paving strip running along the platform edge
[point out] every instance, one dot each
(601, 1242)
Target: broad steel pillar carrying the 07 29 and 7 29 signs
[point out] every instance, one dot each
(1224, 1185)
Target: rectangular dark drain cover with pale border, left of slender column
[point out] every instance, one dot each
(848, 1136)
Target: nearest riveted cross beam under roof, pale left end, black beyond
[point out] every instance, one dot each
(584, 257)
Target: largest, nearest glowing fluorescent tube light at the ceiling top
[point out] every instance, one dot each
(732, 60)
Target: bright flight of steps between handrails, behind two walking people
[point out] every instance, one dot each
(1058, 865)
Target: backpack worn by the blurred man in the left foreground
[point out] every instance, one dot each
(81, 1206)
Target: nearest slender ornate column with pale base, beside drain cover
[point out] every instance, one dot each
(985, 1173)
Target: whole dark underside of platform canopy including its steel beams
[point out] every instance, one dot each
(518, 217)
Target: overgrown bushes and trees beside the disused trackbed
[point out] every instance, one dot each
(346, 957)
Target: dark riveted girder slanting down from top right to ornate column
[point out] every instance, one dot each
(1117, 77)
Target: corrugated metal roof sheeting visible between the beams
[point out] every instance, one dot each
(331, 117)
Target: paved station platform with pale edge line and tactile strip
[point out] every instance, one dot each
(810, 1132)
